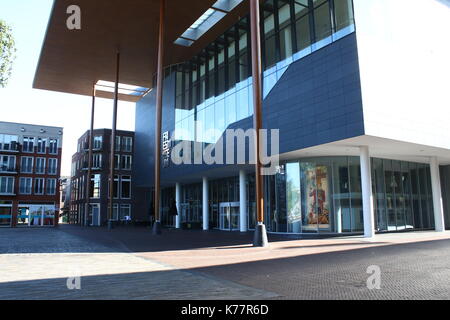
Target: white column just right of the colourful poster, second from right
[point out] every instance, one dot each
(367, 195)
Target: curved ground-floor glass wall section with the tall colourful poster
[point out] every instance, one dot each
(320, 195)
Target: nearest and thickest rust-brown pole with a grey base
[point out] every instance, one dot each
(260, 239)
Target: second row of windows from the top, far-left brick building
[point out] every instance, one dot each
(8, 164)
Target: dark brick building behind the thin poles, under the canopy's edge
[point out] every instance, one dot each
(124, 200)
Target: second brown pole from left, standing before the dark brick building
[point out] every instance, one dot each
(113, 144)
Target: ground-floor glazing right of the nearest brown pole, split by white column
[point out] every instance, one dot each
(323, 195)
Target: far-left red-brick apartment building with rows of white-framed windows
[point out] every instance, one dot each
(30, 168)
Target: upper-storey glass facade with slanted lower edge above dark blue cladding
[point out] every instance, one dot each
(214, 89)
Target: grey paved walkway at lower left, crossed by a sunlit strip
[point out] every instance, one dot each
(40, 263)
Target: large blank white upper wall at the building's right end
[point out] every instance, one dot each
(404, 54)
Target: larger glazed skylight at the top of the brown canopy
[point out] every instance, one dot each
(206, 21)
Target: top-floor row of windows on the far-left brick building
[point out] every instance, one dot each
(29, 144)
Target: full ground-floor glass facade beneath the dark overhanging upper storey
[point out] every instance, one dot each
(317, 196)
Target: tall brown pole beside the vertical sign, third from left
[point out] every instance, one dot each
(159, 96)
